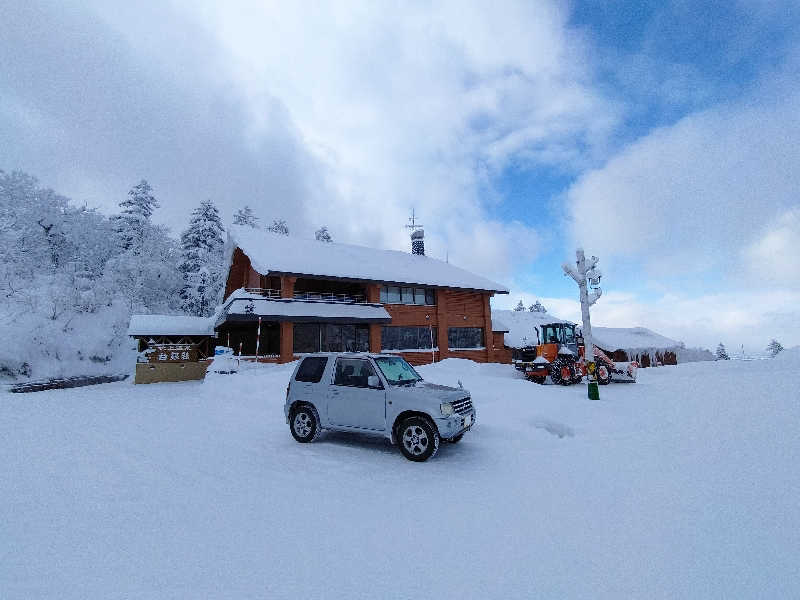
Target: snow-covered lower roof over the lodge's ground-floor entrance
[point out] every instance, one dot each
(242, 304)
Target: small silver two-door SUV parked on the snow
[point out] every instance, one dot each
(375, 393)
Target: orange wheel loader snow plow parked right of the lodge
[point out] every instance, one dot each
(559, 354)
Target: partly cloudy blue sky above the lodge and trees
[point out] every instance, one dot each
(659, 136)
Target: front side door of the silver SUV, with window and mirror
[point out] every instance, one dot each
(351, 402)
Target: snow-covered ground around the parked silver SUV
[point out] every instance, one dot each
(683, 485)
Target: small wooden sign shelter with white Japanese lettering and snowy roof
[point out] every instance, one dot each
(172, 347)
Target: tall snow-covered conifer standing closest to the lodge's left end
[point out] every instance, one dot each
(201, 260)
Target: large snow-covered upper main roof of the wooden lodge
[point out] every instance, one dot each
(269, 252)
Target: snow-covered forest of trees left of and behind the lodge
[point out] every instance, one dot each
(70, 276)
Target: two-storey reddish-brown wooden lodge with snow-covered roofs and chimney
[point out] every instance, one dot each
(285, 297)
